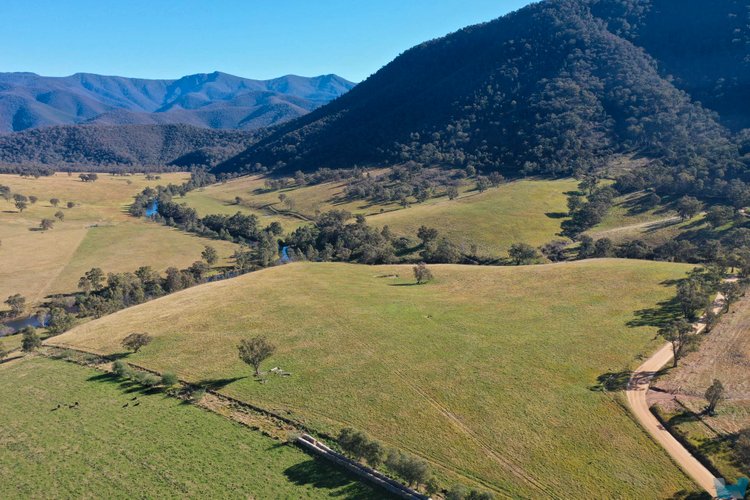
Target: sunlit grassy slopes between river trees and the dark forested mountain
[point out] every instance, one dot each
(523, 211)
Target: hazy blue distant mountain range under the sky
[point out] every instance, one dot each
(215, 100)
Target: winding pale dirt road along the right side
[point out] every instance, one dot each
(638, 387)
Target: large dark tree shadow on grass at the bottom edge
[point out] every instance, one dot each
(321, 475)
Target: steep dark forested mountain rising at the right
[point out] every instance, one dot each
(553, 88)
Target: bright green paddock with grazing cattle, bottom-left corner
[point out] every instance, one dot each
(161, 448)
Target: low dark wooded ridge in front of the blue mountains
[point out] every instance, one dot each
(110, 147)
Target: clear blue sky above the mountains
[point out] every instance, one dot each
(250, 38)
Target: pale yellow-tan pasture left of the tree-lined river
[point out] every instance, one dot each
(96, 232)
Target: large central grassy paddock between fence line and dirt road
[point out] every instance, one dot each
(486, 372)
